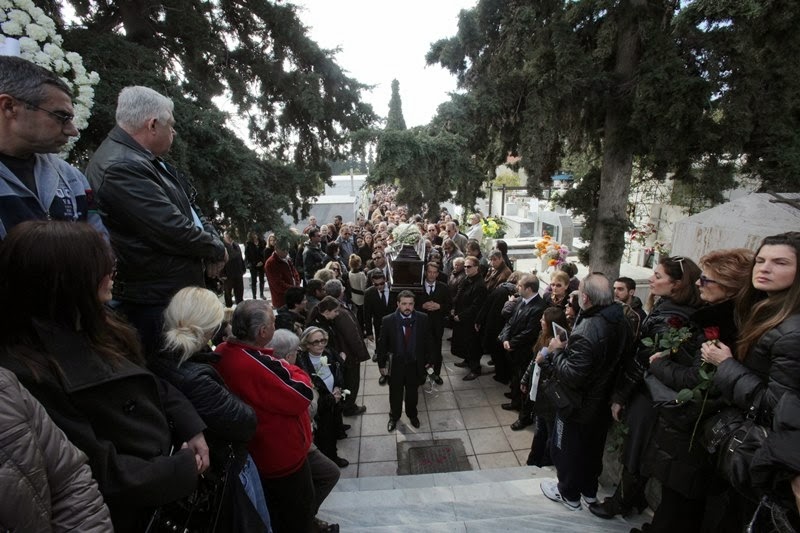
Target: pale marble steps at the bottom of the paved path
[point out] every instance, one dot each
(504, 499)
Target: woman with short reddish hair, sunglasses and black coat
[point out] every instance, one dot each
(675, 456)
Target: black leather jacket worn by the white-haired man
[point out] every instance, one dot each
(147, 206)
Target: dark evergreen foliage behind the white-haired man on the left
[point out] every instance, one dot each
(296, 104)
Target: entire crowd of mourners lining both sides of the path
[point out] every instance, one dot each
(135, 401)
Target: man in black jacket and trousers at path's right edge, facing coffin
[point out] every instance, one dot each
(517, 338)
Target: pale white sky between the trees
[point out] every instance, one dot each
(382, 40)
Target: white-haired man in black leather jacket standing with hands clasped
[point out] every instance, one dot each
(161, 242)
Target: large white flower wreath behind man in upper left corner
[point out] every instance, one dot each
(40, 44)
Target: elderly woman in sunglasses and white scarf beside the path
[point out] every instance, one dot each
(325, 368)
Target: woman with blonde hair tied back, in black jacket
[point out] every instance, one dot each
(190, 321)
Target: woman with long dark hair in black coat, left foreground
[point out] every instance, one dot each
(143, 438)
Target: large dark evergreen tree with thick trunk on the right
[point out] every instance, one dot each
(673, 86)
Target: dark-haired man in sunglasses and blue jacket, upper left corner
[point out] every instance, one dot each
(36, 122)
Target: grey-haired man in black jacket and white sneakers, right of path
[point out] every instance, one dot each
(582, 372)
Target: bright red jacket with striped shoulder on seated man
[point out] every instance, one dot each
(280, 394)
